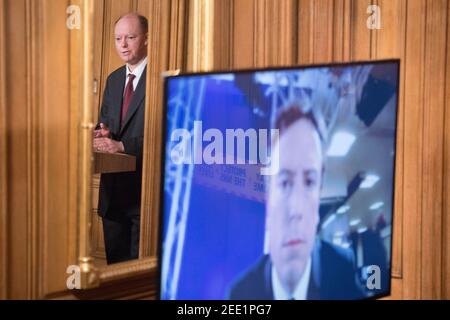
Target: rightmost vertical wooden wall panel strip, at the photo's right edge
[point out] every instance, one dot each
(433, 136)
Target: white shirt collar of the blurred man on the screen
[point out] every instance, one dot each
(300, 292)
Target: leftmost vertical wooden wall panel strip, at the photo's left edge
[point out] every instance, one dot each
(17, 144)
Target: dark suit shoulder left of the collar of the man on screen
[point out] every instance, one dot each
(254, 283)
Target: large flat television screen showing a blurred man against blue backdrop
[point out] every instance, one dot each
(279, 183)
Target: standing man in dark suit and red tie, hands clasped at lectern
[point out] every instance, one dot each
(121, 129)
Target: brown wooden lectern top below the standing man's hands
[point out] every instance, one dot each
(113, 162)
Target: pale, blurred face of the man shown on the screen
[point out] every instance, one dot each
(293, 201)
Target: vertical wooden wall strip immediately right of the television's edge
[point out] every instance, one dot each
(413, 142)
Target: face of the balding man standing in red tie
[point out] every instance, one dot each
(130, 40)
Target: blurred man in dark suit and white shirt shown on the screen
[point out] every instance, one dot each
(299, 266)
